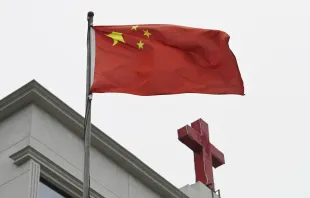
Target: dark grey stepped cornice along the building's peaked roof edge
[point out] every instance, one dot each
(34, 93)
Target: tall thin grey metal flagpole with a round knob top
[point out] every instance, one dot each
(87, 121)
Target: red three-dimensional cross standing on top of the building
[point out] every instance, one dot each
(206, 155)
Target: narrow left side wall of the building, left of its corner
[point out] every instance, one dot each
(14, 135)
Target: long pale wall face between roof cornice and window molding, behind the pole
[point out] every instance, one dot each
(66, 149)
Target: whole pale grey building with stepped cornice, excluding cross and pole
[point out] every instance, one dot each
(41, 155)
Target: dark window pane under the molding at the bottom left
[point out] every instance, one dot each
(46, 190)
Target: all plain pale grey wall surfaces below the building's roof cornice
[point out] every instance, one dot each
(32, 126)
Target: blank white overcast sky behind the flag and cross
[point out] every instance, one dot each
(264, 134)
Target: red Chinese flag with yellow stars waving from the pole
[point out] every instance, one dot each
(163, 59)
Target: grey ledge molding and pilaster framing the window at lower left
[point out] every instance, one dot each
(41, 166)
